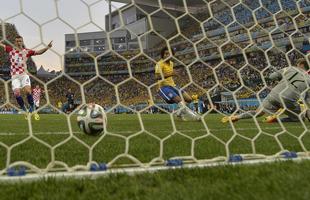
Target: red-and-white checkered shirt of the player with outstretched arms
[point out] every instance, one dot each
(18, 59)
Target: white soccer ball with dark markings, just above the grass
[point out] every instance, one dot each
(91, 119)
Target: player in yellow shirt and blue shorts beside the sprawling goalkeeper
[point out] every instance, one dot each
(168, 90)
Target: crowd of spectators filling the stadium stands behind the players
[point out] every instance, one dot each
(237, 66)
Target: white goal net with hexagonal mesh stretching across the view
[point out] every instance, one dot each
(105, 52)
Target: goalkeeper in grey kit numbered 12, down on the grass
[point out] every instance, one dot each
(293, 85)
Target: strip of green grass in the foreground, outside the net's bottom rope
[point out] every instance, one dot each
(284, 180)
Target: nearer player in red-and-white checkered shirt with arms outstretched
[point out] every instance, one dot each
(18, 56)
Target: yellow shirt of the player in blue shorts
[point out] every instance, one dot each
(164, 68)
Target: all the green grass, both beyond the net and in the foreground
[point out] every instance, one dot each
(157, 138)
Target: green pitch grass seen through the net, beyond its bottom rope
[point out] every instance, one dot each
(143, 142)
